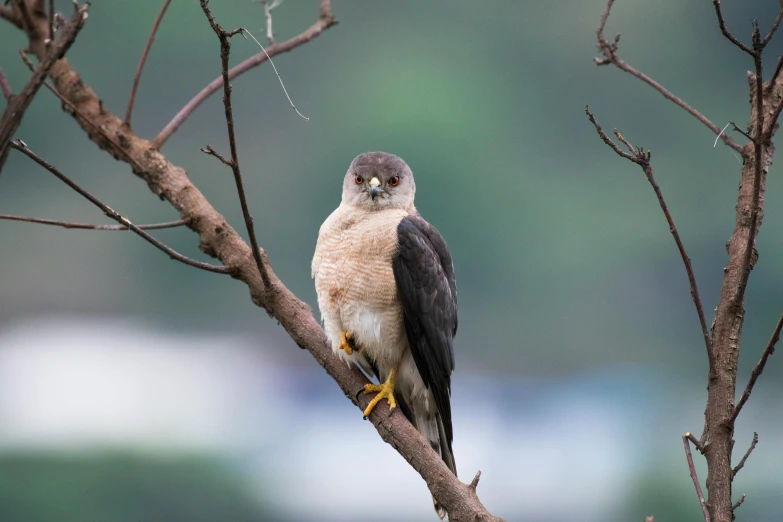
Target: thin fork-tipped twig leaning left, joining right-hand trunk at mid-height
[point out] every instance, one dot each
(642, 159)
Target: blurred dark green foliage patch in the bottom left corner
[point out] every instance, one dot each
(121, 487)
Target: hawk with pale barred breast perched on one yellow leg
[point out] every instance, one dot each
(388, 298)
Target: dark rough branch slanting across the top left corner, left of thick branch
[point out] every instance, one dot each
(12, 117)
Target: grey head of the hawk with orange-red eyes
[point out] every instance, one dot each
(379, 181)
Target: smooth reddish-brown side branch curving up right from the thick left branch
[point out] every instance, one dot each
(326, 21)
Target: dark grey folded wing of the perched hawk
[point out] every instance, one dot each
(425, 281)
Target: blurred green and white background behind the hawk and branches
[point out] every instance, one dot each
(580, 361)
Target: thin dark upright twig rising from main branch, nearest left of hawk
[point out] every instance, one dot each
(225, 50)
